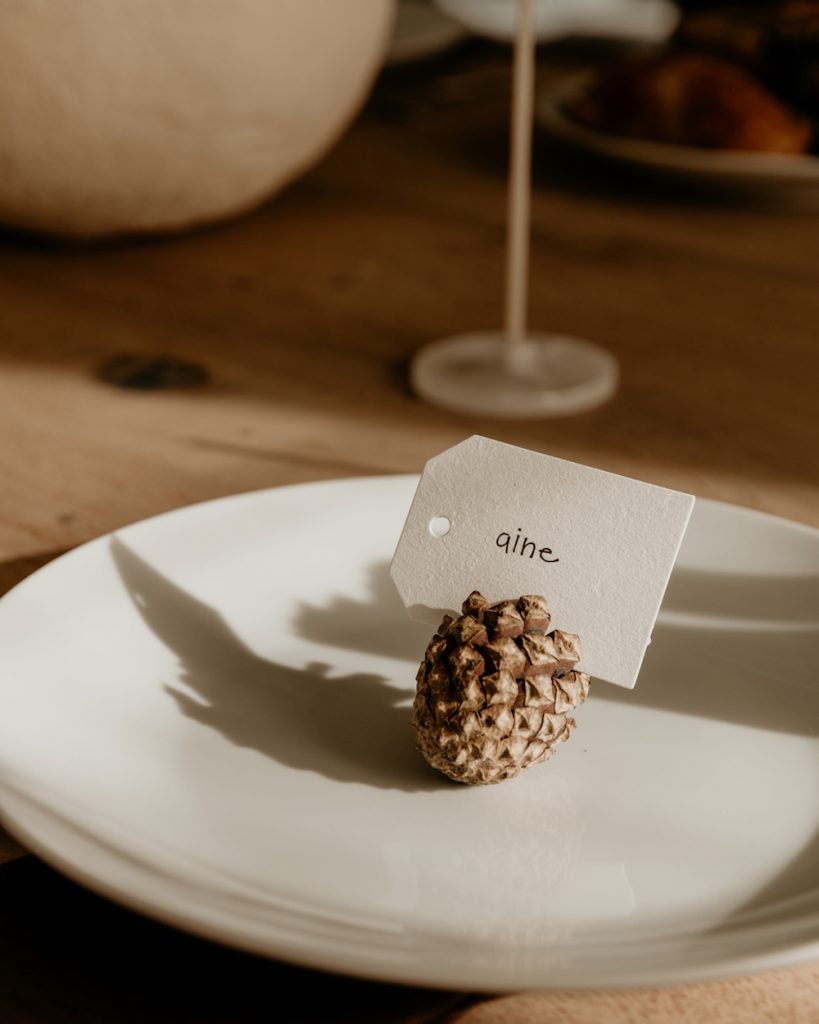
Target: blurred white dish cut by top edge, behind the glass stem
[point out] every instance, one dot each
(650, 21)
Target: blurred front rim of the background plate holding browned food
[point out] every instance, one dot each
(722, 167)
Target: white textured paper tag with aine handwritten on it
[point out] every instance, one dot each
(508, 522)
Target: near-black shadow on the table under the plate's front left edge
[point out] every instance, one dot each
(67, 955)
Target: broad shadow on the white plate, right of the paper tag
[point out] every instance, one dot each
(735, 649)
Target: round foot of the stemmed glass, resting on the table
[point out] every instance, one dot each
(544, 376)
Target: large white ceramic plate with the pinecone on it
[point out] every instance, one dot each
(206, 717)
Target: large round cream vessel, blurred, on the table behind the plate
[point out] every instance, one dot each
(151, 115)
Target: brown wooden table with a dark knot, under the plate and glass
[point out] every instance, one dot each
(295, 326)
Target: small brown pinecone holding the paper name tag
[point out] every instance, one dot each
(495, 689)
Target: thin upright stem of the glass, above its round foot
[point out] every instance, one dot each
(518, 270)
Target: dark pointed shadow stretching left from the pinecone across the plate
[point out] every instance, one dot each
(354, 729)
